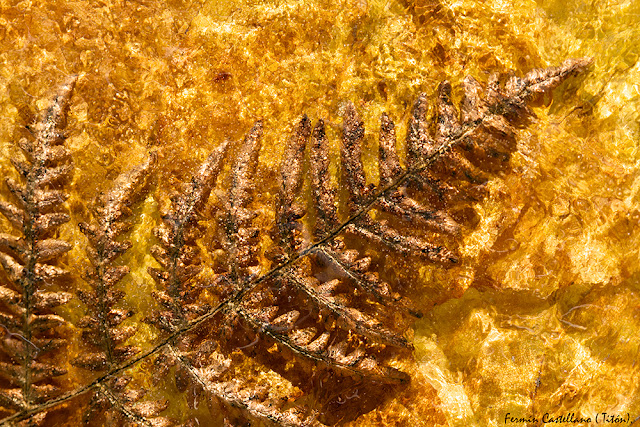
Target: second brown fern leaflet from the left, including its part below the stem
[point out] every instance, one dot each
(103, 331)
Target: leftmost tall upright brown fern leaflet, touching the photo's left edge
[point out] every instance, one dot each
(30, 287)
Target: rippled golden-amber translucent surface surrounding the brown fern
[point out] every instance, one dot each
(543, 314)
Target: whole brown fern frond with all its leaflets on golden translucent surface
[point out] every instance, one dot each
(265, 326)
